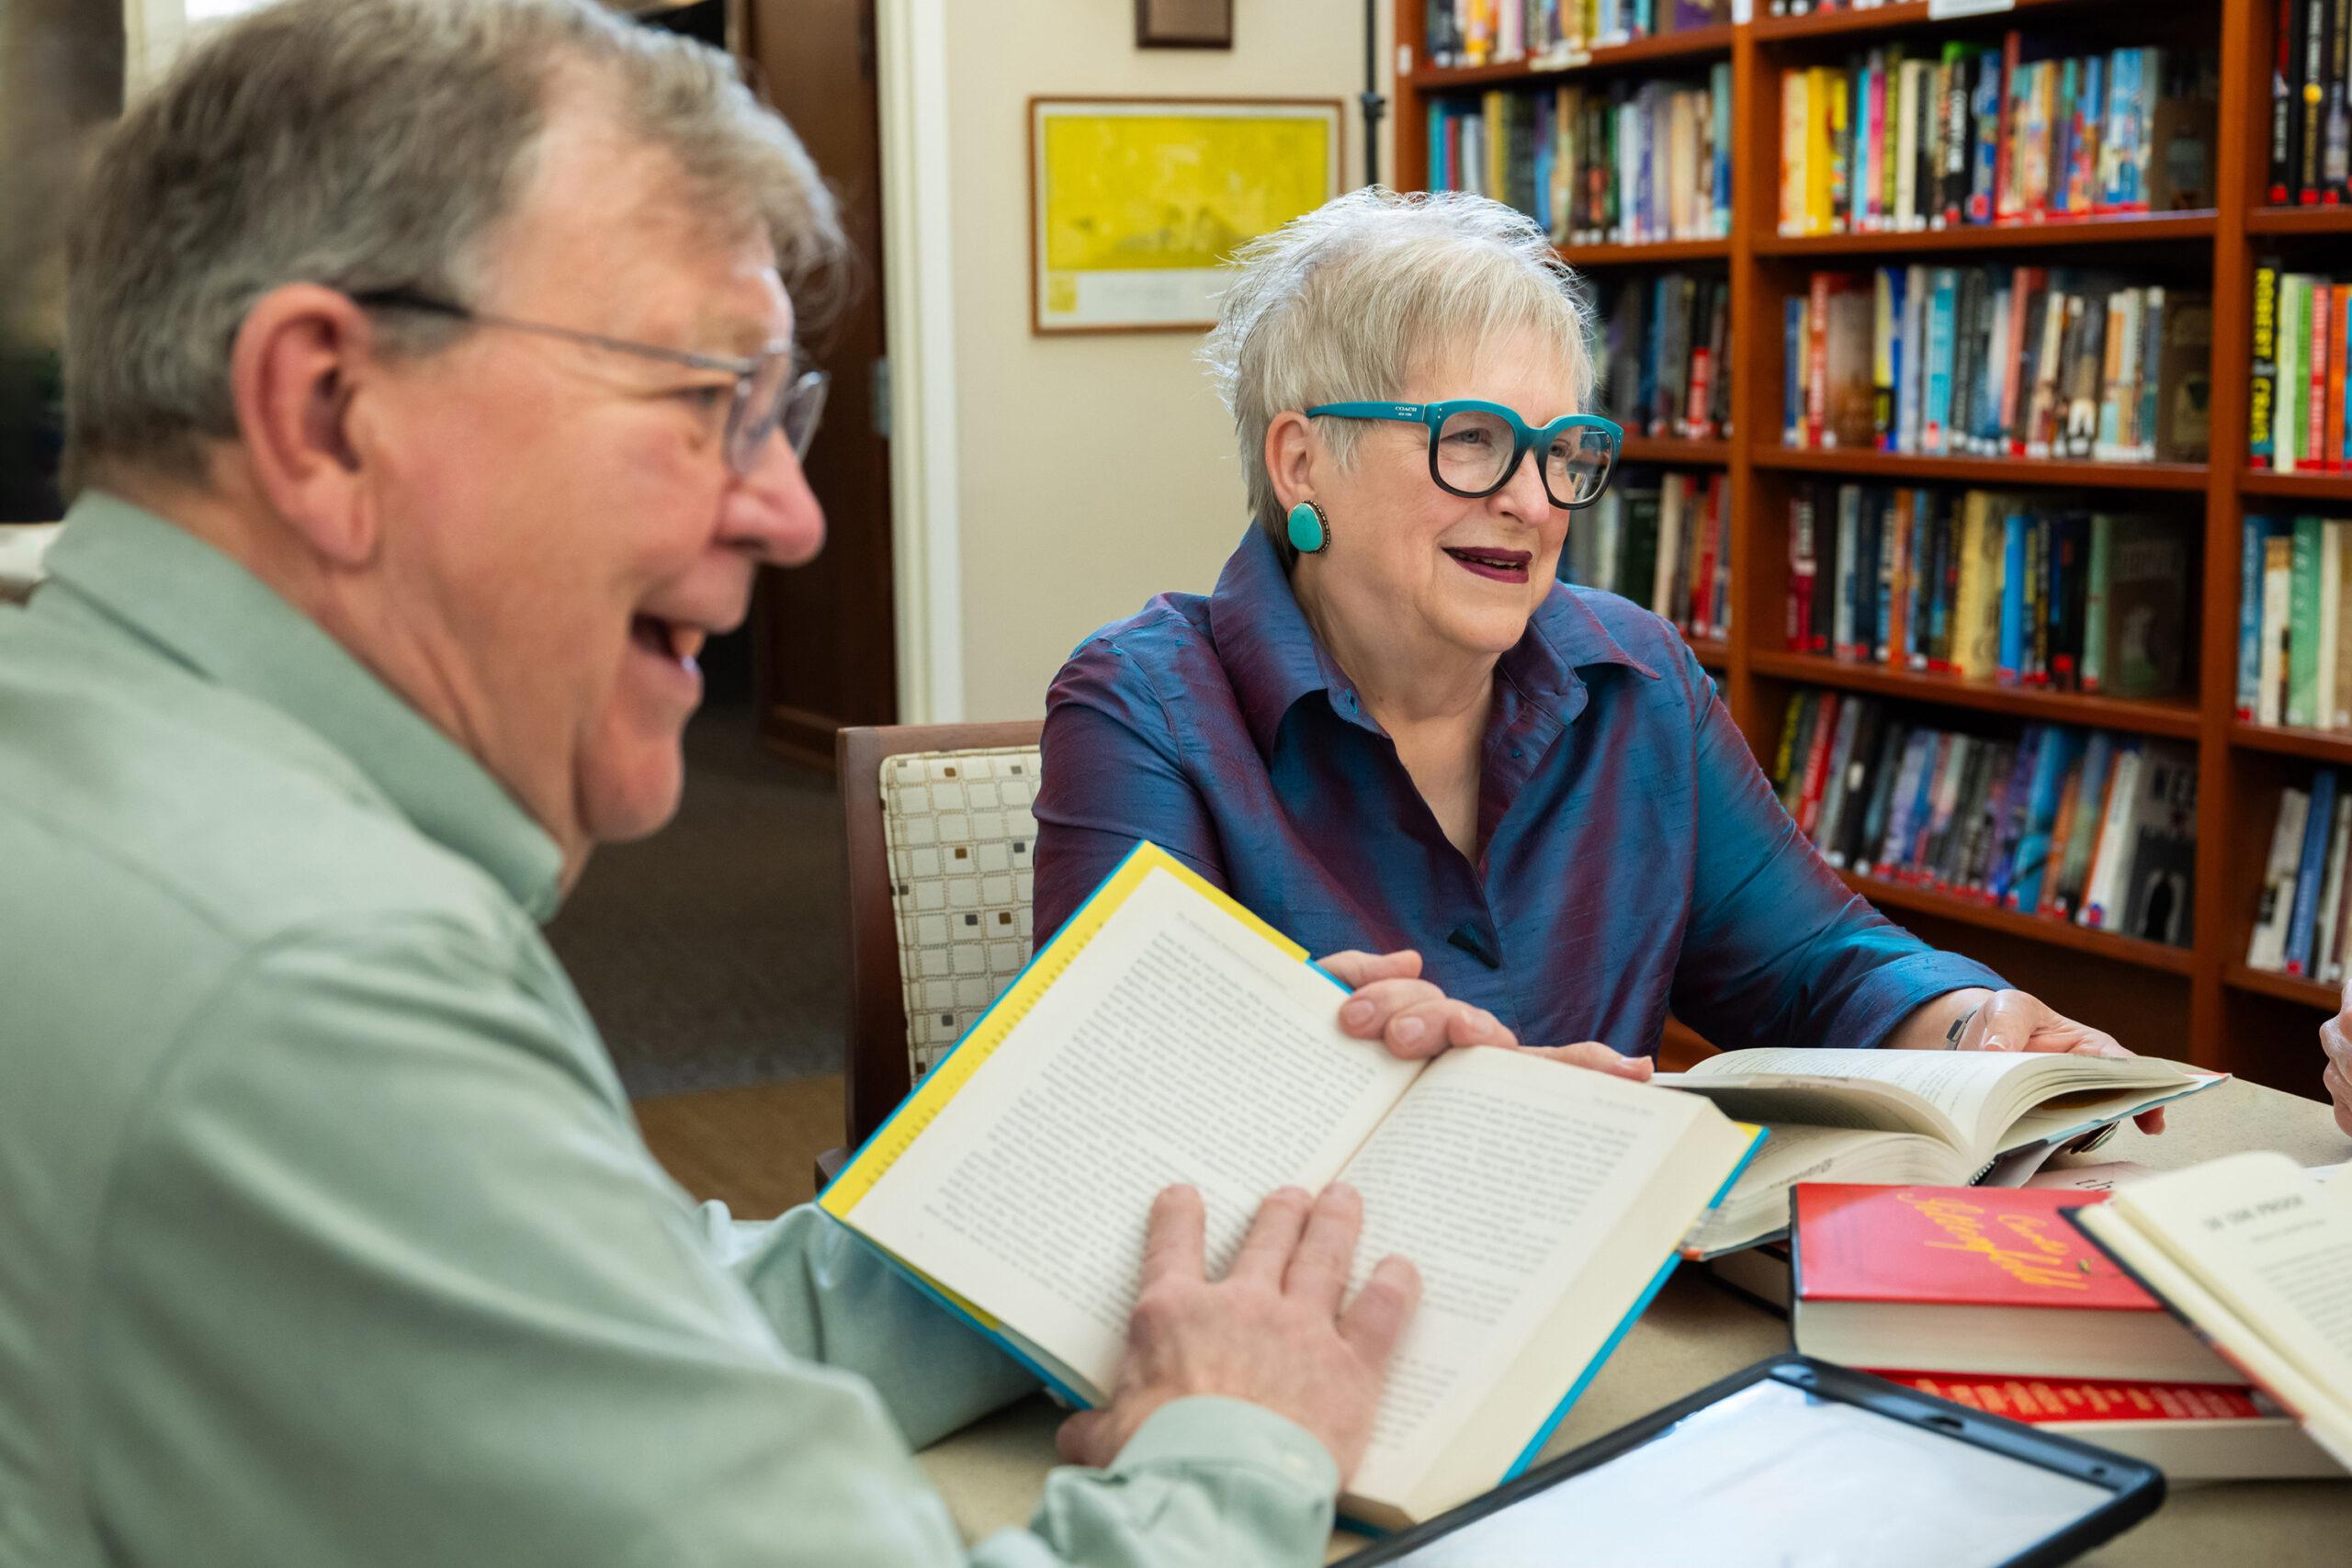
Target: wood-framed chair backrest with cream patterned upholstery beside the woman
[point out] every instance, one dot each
(940, 838)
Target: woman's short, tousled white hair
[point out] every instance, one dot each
(1351, 300)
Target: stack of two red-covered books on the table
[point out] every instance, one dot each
(1996, 1301)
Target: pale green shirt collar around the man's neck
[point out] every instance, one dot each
(211, 615)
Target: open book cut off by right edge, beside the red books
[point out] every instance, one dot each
(2254, 1257)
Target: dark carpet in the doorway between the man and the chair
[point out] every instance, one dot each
(711, 956)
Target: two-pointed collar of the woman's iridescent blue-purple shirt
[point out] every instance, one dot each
(1274, 659)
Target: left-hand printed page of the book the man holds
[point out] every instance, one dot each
(1180, 1047)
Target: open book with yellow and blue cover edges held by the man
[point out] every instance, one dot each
(1168, 1036)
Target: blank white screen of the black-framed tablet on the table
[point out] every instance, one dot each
(1777, 1475)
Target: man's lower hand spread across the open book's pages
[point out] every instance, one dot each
(1271, 1332)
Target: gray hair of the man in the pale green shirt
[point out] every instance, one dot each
(373, 145)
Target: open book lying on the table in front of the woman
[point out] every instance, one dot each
(1909, 1118)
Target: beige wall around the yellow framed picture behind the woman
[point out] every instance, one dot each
(1095, 471)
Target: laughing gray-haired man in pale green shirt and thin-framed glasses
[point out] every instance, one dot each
(432, 403)
